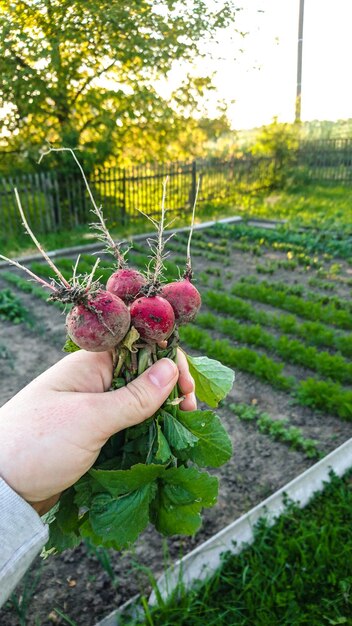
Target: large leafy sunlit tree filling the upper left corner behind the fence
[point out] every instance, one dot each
(82, 73)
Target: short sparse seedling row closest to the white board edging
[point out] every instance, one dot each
(277, 429)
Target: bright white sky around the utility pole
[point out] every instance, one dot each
(262, 79)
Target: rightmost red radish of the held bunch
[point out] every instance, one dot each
(184, 298)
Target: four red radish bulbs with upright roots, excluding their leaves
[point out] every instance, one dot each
(101, 318)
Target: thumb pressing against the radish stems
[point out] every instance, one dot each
(140, 399)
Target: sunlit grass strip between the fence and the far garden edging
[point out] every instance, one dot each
(322, 206)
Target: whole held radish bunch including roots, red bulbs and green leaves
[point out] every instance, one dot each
(136, 317)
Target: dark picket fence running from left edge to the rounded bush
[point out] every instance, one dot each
(56, 201)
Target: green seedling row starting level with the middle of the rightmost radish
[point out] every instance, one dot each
(313, 333)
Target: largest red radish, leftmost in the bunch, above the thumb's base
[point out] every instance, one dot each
(99, 324)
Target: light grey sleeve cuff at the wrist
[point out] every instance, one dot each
(22, 535)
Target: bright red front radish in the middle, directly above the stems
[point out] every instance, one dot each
(153, 317)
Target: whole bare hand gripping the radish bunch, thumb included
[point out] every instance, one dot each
(52, 431)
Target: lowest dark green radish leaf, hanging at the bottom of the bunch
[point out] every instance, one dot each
(120, 520)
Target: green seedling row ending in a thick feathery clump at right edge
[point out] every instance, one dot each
(328, 397)
